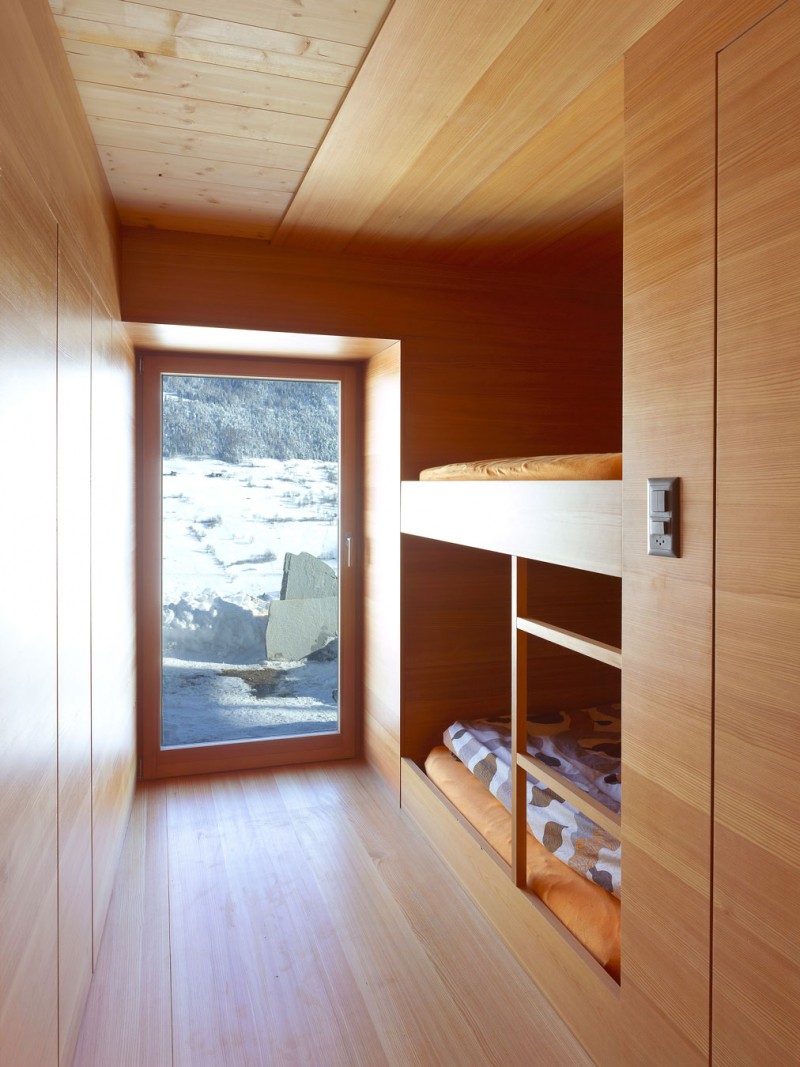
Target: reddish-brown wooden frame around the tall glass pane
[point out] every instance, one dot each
(159, 762)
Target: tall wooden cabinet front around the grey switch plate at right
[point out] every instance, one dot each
(711, 641)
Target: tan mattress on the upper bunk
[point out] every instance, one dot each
(588, 467)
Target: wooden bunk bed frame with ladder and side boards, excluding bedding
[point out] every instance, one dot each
(577, 525)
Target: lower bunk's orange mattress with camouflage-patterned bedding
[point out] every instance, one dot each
(573, 866)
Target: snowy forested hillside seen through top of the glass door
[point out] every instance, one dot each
(233, 419)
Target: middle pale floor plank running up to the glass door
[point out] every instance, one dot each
(260, 976)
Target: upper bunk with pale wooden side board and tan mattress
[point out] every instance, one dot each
(558, 509)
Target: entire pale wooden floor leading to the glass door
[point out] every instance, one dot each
(298, 917)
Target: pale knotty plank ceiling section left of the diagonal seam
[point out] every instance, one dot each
(175, 79)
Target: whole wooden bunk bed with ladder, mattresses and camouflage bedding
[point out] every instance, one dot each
(539, 790)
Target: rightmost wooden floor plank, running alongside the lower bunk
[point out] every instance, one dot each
(460, 995)
